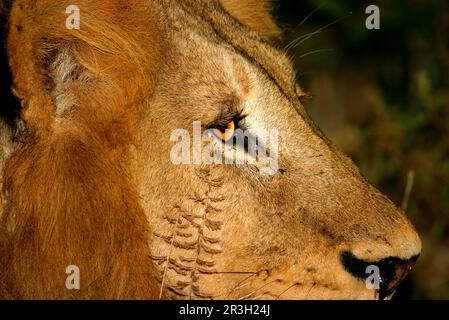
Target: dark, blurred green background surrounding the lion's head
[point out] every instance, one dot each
(382, 97)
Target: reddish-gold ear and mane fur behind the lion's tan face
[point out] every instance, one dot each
(54, 215)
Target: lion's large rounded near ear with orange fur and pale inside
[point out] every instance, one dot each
(110, 59)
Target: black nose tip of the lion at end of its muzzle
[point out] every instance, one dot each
(392, 270)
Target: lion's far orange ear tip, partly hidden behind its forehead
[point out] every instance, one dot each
(255, 14)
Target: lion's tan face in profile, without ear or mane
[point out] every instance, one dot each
(227, 231)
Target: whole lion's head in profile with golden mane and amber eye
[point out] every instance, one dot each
(88, 181)
